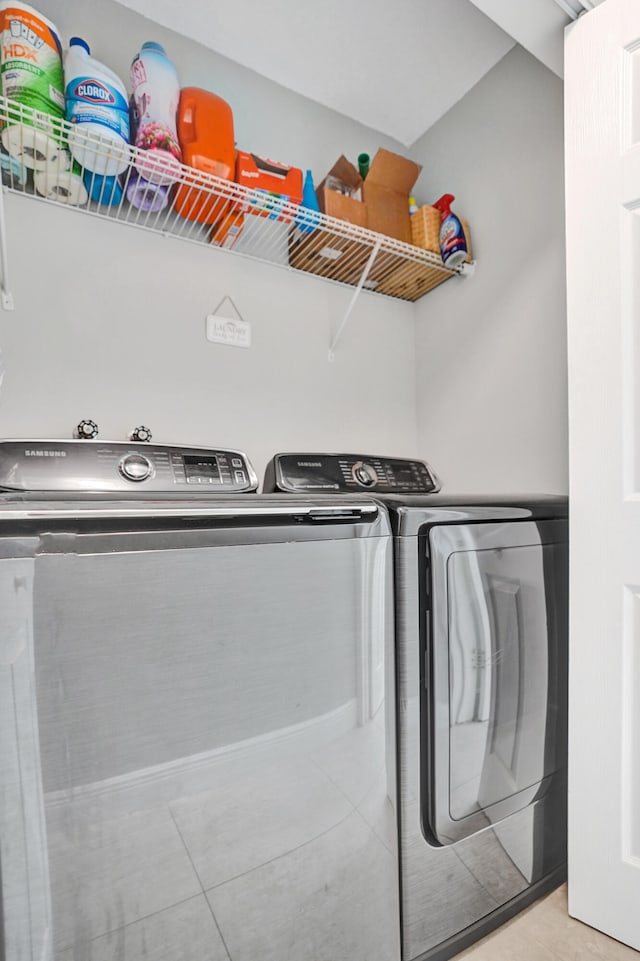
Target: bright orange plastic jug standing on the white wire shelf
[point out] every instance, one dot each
(205, 132)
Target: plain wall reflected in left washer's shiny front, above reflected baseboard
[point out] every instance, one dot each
(182, 664)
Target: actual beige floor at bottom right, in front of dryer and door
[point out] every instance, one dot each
(545, 932)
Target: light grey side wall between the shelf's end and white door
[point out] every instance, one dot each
(491, 351)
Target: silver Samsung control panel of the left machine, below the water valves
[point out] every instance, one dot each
(97, 466)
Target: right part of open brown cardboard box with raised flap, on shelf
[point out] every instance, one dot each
(386, 194)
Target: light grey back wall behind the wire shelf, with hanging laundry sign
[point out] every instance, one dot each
(109, 321)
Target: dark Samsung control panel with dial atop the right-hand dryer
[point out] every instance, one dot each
(308, 473)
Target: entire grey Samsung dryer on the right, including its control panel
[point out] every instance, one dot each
(476, 682)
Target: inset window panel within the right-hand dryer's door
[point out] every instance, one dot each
(498, 675)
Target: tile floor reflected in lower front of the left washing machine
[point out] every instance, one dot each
(223, 860)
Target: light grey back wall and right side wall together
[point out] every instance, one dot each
(109, 321)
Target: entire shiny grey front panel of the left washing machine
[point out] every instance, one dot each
(212, 729)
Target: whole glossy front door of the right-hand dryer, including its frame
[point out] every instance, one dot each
(494, 705)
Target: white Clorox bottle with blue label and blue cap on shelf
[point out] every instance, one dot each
(98, 110)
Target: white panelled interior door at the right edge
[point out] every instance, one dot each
(602, 89)
